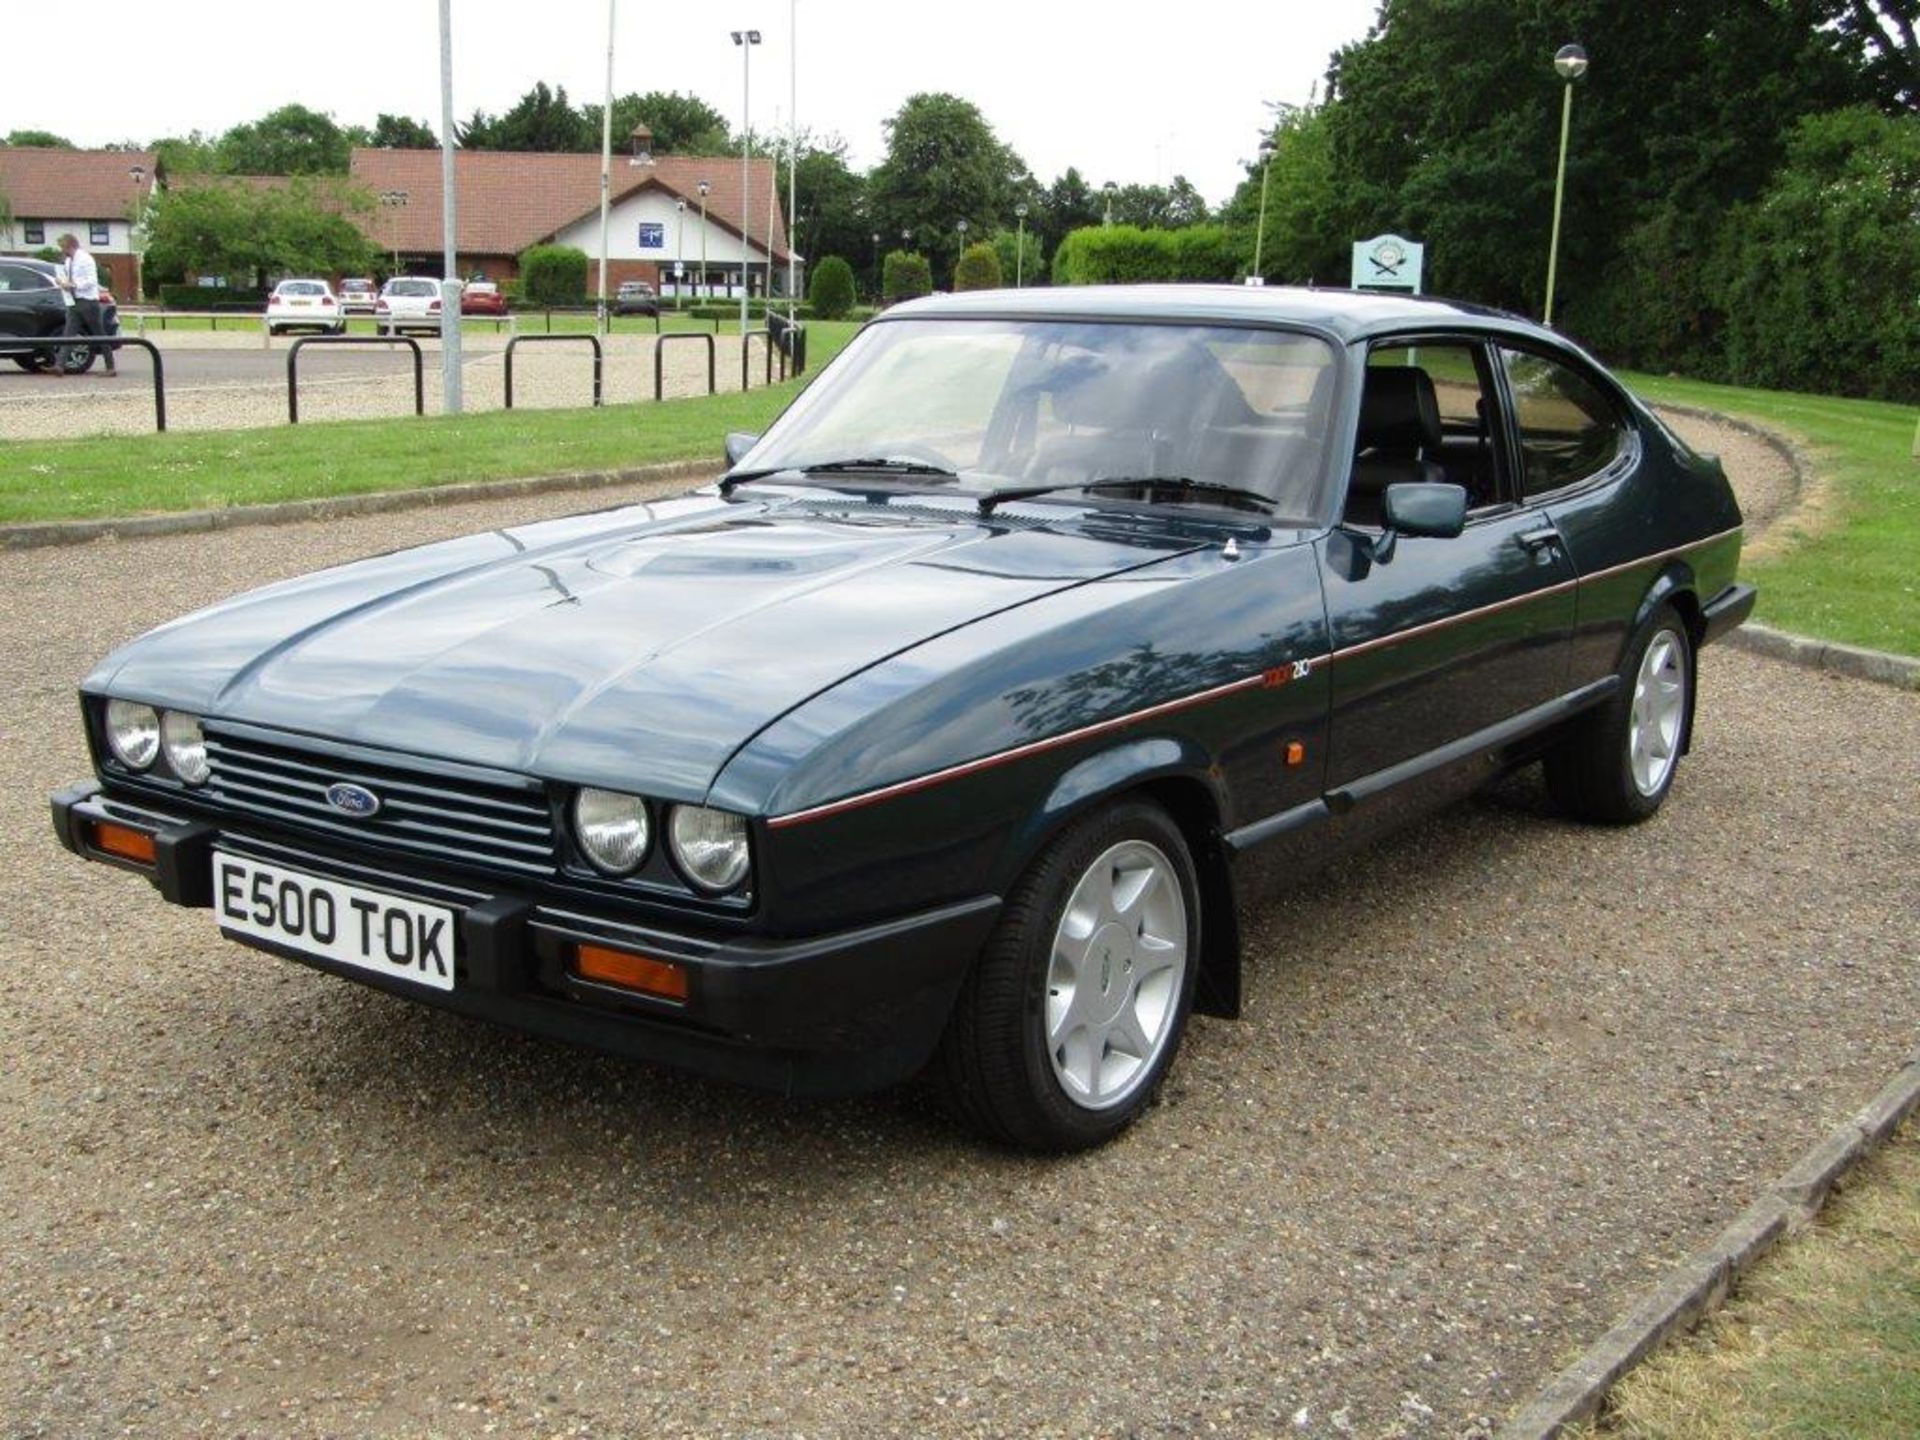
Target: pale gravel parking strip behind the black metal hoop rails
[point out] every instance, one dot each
(231, 381)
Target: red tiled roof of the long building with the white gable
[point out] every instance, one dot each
(514, 199)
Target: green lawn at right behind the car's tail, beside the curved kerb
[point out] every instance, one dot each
(1852, 569)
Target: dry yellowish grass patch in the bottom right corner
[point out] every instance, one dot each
(1819, 1341)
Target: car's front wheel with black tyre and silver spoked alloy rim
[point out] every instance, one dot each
(997, 1067)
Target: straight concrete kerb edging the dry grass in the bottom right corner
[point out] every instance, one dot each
(1702, 1284)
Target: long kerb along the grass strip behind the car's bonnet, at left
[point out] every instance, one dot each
(181, 523)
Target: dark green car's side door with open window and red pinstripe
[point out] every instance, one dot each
(1437, 644)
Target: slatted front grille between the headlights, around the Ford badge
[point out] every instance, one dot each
(443, 811)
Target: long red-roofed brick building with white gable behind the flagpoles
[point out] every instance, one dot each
(512, 201)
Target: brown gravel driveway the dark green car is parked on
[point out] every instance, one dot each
(1497, 1074)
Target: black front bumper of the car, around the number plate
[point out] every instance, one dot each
(827, 1015)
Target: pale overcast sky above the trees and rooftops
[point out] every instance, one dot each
(1124, 91)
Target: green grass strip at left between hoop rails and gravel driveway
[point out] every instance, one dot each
(212, 469)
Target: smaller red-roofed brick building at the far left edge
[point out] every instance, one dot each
(93, 195)
